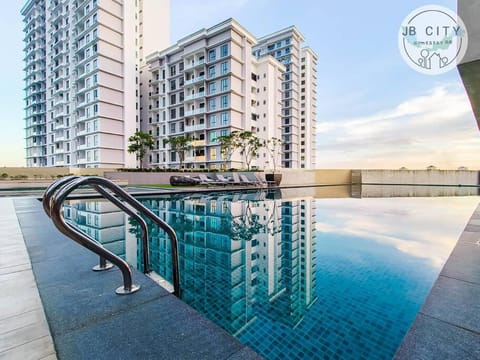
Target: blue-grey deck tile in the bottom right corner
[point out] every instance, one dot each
(430, 338)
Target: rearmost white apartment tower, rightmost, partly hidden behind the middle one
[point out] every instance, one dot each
(299, 95)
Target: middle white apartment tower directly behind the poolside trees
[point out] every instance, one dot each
(205, 86)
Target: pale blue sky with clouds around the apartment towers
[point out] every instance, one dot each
(373, 110)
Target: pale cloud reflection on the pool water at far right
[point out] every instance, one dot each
(425, 228)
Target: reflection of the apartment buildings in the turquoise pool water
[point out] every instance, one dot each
(242, 255)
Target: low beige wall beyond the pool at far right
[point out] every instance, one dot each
(432, 177)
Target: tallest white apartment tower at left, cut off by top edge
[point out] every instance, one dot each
(81, 62)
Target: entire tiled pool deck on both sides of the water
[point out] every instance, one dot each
(54, 306)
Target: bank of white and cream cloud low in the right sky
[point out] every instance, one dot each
(435, 128)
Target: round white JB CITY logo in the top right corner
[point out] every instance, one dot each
(432, 39)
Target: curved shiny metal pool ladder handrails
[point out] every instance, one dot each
(58, 191)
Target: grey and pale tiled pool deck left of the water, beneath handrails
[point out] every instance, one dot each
(86, 319)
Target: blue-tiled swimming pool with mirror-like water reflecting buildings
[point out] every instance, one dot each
(304, 273)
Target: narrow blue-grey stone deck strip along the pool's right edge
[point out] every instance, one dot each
(448, 325)
